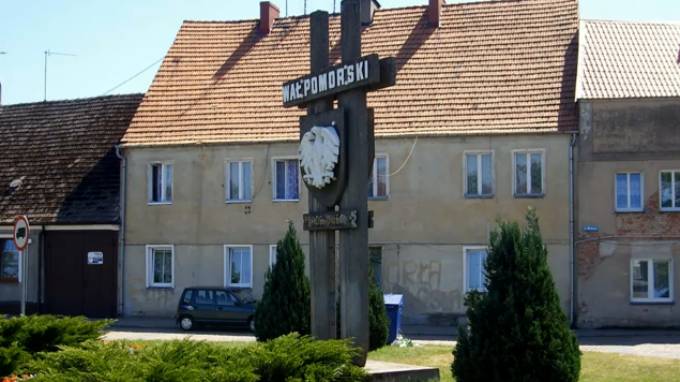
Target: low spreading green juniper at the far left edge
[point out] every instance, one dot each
(23, 337)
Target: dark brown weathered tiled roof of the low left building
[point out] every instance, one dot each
(60, 158)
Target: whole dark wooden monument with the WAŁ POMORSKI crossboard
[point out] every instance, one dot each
(347, 188)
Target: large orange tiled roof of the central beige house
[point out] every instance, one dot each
(497, 67)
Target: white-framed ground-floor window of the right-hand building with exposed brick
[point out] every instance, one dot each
(651, 280)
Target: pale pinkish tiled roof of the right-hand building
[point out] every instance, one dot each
(629, 60)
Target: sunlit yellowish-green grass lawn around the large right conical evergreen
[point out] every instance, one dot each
(595, 367)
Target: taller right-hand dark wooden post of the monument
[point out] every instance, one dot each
(353, 264)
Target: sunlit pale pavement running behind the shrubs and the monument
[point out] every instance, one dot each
(661, 344)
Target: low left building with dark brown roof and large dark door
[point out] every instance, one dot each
(59, 166)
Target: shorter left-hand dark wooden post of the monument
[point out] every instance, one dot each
(321, 243)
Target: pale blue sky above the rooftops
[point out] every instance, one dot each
(113, 40)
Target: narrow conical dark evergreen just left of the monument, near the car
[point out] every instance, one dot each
(285, 304)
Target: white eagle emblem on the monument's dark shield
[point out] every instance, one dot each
(319, 150)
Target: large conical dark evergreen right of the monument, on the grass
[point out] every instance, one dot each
(517, 330)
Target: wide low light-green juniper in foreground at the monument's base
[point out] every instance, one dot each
(288, 358)
